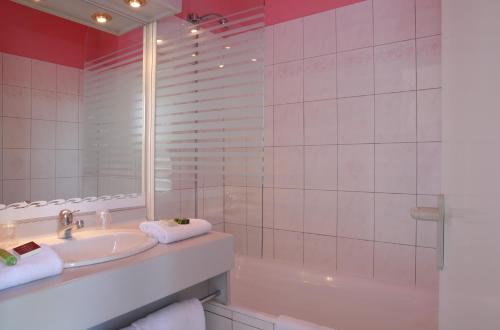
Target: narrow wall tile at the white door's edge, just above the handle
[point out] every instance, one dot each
(429, 168)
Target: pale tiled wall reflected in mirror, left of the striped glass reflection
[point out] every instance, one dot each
(39, 144)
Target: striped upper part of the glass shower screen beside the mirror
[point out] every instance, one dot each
(209, 102)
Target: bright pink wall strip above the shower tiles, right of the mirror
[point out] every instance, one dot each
(277, 11)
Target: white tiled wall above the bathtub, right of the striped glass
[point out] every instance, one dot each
(352, 142)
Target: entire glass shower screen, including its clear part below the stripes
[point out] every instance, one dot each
(209, 120)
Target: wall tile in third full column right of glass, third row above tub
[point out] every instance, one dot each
(356, 172)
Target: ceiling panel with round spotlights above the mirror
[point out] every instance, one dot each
(124, 17)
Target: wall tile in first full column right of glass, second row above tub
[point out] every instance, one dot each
(289, 209)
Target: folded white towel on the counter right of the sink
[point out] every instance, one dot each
(168, 234)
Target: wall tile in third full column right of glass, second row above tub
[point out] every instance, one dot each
(356, 215)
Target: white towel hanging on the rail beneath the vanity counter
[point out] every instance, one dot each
(185, 315)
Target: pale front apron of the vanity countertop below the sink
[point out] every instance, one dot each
(118, 286)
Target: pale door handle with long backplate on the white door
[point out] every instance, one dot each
(434, 214)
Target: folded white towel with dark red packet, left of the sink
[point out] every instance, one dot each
(43, 264)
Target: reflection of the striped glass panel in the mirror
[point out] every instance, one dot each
(113, 123)
